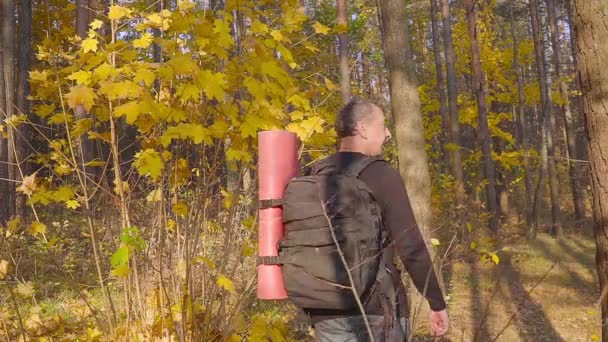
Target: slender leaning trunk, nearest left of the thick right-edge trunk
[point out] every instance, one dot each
(573, 170)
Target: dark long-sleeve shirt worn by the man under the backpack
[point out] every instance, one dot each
(405, 239)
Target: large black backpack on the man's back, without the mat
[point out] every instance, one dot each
(313, 271)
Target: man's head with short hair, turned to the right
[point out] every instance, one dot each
(360, 127)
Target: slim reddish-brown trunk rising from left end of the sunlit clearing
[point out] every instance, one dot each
(484, 131)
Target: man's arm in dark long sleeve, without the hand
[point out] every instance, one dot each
(390, 193)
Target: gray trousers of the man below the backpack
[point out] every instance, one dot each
(352, 329)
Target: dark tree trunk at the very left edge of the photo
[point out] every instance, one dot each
(8, 51)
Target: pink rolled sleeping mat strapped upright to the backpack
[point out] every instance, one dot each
(277, 164)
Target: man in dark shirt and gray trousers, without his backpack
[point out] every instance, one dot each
(361, 130)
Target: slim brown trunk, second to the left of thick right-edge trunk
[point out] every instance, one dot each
(537, 34)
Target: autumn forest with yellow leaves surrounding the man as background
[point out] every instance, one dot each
(128, 158)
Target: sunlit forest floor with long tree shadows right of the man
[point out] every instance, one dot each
(545, 290)
